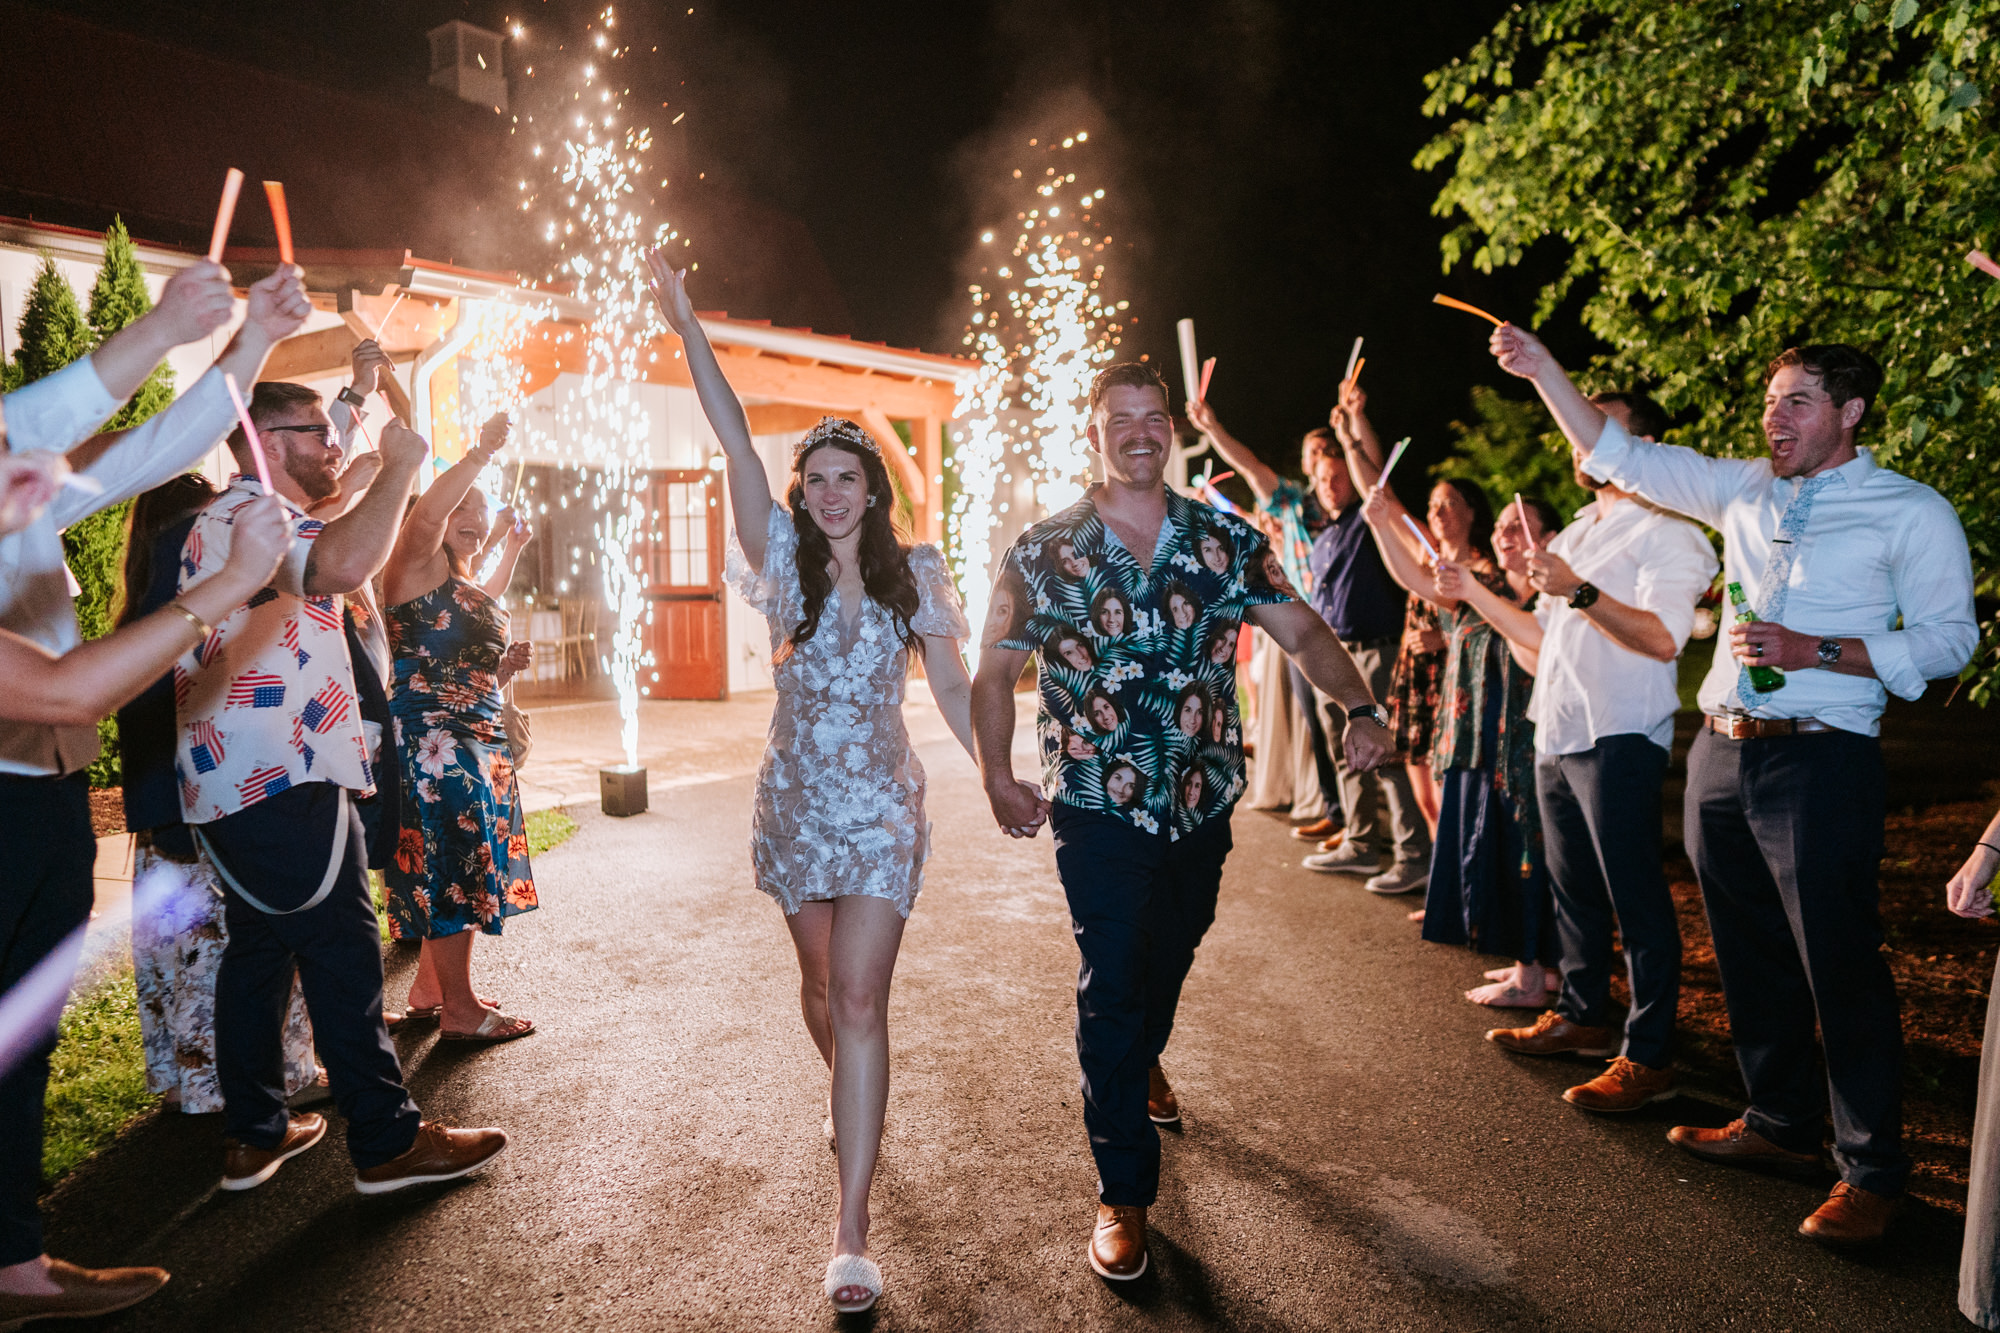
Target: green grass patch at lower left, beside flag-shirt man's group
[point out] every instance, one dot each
(97, 1078)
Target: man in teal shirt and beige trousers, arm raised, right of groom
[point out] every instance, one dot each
(1299, 517)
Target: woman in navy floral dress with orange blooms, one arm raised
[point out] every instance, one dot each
(463, 860)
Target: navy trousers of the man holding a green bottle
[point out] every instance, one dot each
(1787, 840)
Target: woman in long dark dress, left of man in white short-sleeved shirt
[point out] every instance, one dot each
(1489, 884)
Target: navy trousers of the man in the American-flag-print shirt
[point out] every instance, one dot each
(279, 850)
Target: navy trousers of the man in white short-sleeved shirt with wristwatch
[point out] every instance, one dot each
(1601, 834)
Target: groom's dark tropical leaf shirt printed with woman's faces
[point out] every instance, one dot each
(1139, 672)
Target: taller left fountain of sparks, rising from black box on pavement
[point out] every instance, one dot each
(599, 227)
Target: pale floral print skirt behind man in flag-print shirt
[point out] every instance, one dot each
(177, 954)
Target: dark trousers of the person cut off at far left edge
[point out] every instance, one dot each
(45, 824)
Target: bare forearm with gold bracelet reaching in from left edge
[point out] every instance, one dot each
(95, 680)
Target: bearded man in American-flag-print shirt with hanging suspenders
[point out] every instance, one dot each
(273, 752)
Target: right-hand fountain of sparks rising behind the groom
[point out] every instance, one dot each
(1041, 329)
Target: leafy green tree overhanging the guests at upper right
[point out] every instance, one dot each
(1729, 179)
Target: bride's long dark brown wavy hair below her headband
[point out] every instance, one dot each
(885, 555)
